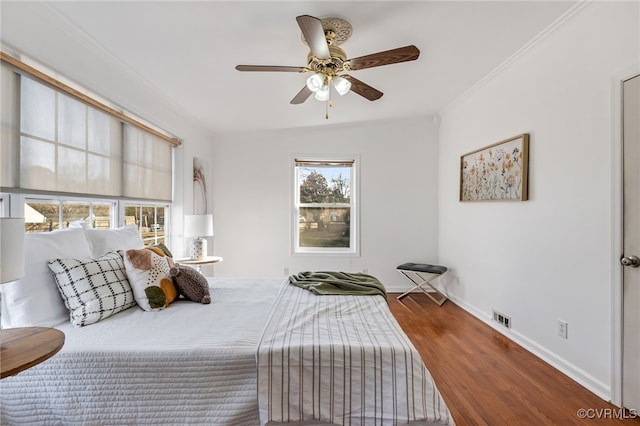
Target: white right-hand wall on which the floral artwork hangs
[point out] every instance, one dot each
(548, 258)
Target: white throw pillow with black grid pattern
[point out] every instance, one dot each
(93, 289)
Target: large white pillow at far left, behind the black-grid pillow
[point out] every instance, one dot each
(34, 300)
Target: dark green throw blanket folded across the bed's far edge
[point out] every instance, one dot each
(339, 283)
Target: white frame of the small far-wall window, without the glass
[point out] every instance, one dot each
(354, 226)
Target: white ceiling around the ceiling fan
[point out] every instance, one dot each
(168, 57)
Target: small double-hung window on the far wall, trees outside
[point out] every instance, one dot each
(324, 211)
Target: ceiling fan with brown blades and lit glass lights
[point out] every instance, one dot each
(329, 64)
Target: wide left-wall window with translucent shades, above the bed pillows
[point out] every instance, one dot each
(65, 159)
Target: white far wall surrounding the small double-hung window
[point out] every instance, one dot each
(252, 180)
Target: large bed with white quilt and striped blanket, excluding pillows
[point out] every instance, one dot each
(231, 362)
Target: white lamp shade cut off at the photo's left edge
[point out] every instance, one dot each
(11, 249)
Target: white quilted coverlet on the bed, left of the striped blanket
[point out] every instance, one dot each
(190, 363)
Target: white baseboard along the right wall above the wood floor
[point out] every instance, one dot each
(582, 377)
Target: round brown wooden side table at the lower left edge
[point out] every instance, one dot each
(24, 347)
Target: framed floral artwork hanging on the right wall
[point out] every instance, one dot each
(497, 172)
